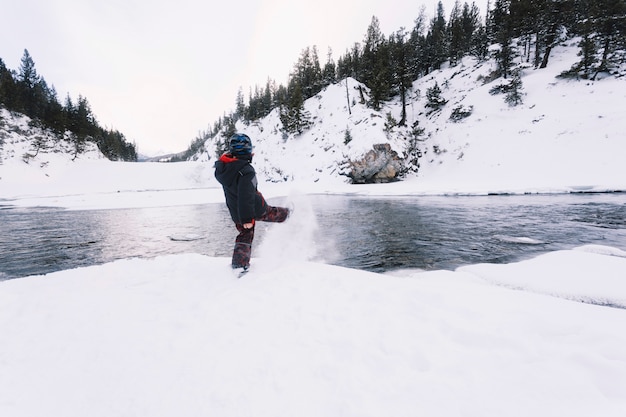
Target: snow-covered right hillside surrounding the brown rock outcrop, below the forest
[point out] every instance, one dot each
(566, 134)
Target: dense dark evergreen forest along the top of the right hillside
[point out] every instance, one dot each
(512, 32)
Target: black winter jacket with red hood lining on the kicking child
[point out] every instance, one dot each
(239, 182)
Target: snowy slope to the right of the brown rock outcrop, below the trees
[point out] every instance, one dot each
(566, 135)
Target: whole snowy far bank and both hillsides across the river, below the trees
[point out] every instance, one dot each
(566, 136)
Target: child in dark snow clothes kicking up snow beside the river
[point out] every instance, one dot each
(246, 205)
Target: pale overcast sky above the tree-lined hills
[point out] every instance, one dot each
(162, 71)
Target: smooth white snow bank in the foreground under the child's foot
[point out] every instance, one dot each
(181, 336)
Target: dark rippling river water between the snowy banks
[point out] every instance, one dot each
(376, 234)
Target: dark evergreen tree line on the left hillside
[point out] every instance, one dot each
(26, 92)
